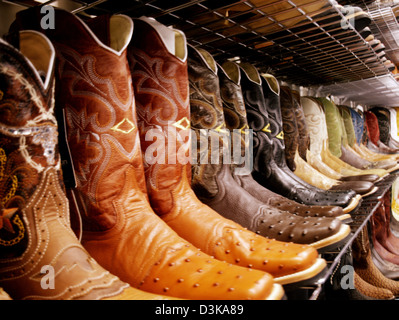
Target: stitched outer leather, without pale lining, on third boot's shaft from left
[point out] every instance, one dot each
(162, 95)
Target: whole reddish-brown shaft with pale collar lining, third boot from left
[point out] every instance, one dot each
(158, 62)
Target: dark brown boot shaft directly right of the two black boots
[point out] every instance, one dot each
(290, 126)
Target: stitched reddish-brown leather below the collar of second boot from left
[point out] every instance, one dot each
(104, 135)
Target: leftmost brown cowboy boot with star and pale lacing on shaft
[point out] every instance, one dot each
(36, 239)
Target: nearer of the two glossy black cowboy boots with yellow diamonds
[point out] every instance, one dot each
(270, 168)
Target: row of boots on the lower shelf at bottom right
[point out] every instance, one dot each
(373, 255)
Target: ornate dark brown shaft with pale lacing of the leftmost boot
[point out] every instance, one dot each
(28, 135)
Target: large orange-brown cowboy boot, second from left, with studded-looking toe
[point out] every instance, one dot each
(119, 227)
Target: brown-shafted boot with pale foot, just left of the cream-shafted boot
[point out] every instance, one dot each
(304, 170)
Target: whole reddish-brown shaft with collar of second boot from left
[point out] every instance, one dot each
(94, 90)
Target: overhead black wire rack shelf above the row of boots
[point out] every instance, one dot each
(306, 42)
